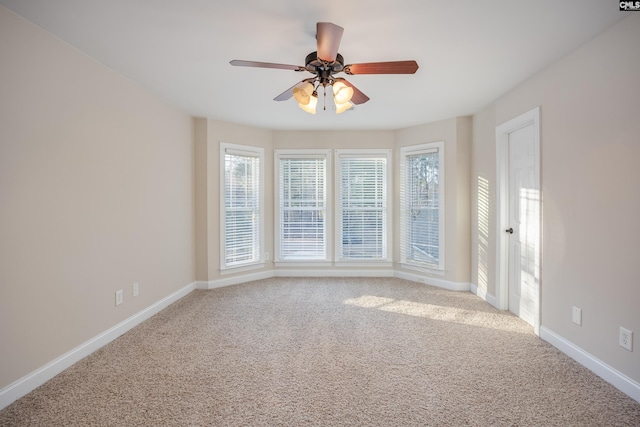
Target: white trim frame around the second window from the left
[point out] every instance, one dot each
(312, 154)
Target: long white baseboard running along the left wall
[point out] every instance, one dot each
(30, 382)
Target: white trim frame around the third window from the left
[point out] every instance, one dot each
(376, 153)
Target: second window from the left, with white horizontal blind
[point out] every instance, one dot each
(301, 198)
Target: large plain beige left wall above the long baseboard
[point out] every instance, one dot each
(96, 193)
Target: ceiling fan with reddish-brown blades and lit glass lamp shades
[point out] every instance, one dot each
(324, 63)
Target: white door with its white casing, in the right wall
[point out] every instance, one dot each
(519, 217)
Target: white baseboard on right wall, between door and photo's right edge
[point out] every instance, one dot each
(619, 380)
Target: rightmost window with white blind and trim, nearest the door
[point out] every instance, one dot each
(422, 206)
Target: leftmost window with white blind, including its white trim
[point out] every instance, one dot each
(241, 176)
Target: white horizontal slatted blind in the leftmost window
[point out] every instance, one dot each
(242, 208)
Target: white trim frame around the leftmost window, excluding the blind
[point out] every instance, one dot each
(248, 151)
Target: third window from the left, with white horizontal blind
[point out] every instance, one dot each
(363, 207)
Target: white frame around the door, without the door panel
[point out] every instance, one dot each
(531, 117)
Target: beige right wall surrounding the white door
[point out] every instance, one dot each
(590, 144)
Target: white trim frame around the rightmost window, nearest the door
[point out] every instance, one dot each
(412, 150)
